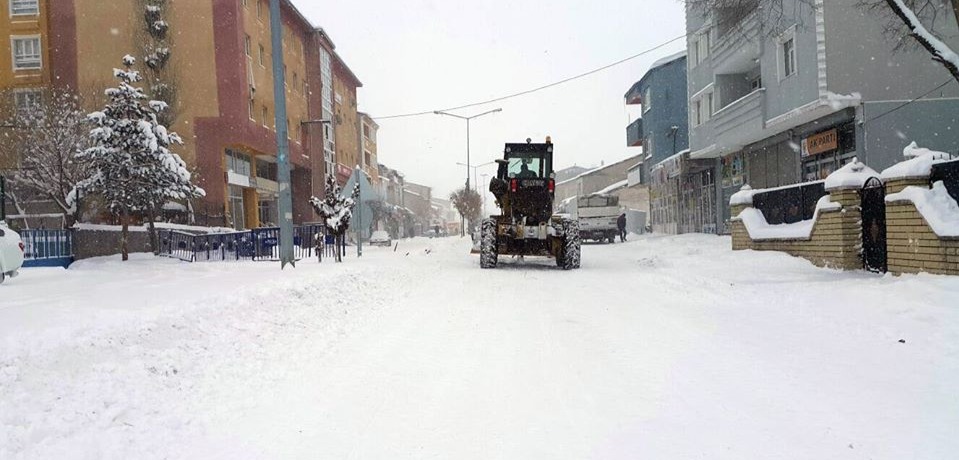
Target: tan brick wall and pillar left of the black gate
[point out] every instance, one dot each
(834, 241)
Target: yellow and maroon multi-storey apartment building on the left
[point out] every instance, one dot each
(221, 59)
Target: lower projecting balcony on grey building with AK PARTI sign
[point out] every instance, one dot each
(739, 123)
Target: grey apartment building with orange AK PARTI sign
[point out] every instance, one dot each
(776, 100)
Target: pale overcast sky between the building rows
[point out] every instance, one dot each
(419, 55)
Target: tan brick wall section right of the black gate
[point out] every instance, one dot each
(912, 246)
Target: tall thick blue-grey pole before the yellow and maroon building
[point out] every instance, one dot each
(285, 204)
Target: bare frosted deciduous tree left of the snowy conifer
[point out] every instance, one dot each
(48, 134)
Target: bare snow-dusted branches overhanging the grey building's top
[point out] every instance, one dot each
(918, 20)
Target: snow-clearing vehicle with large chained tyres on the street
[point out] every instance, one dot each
(524, 188)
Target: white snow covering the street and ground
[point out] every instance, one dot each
(664, 347)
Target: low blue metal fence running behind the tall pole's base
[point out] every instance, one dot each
(262, 244)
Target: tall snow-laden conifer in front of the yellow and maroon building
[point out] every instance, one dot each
(132, 167)
